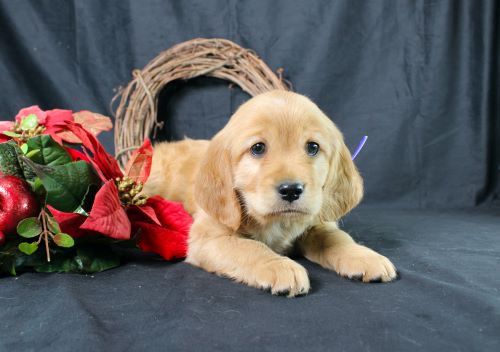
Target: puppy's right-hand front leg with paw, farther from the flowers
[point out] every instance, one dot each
(334, 249)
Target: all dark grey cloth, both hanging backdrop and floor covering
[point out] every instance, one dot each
(420, 78)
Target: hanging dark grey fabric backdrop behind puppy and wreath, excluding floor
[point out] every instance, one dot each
(420, 78)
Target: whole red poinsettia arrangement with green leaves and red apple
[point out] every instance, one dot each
(65, 204)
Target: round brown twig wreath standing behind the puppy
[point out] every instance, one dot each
(136, 115)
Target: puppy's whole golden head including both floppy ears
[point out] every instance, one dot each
(278, 157)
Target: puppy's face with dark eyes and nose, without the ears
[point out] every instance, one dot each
(281, 157)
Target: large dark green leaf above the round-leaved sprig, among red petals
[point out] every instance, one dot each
(66, 185)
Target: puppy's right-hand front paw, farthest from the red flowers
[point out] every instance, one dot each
(359, 262)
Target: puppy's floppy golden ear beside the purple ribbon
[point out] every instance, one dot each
(343, 189)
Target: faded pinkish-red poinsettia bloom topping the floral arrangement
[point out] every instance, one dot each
(53, 122)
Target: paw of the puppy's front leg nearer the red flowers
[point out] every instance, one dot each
(283, 275)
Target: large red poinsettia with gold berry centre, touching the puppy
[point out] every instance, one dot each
(162, 226)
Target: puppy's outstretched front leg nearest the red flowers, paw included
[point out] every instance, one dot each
(245, 260)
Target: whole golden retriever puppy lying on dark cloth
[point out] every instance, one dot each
(274, 180)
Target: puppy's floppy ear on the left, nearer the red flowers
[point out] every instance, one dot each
(213, 187)
